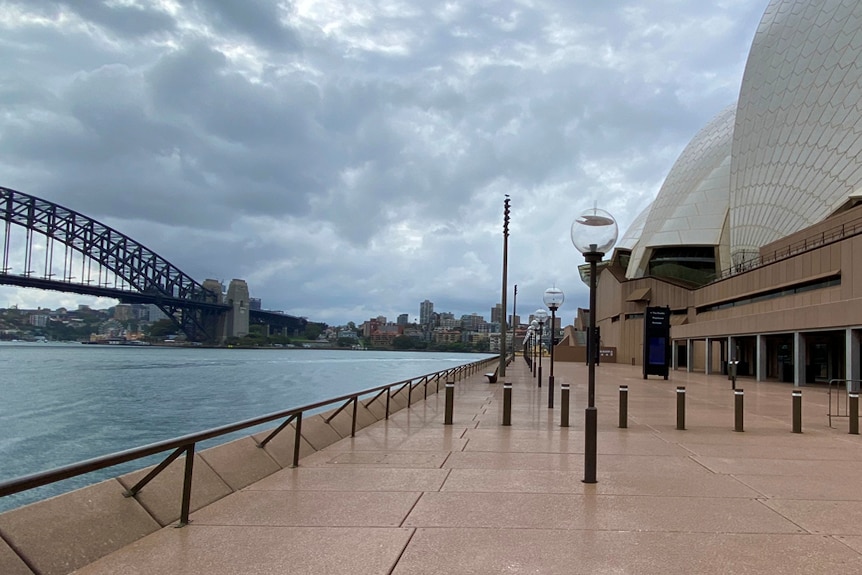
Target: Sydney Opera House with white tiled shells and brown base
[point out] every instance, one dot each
(754, 240)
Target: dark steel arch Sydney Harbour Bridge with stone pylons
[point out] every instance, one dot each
(48, 246)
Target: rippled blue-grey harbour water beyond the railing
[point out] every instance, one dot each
(63, 403)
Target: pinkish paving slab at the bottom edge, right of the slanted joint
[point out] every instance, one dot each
(566, 552)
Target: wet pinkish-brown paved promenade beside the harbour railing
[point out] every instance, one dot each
(411, 496)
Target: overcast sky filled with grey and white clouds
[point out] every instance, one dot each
(349, 158)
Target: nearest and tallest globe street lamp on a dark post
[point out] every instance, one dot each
(593, 233)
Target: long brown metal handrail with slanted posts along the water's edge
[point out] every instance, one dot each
(185, 445)
